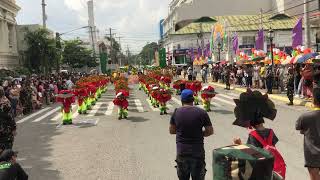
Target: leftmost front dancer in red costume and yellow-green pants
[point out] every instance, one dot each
(66, 97)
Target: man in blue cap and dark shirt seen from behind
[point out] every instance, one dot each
(187, 122)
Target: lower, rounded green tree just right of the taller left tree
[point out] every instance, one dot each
(77, 56)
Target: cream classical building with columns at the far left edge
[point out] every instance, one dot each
(8, 38)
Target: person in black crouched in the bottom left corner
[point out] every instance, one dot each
(9, 168)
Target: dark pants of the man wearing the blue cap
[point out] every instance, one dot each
(190, 166)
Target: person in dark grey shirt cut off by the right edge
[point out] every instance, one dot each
(309, 125)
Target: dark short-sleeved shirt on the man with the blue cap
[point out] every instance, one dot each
(189, 122)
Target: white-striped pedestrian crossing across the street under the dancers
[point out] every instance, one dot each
(105, 107)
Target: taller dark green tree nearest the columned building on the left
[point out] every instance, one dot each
(41, 51)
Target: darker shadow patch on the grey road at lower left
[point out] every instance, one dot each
(34, 145)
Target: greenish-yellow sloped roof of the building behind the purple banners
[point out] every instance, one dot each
(240, 23)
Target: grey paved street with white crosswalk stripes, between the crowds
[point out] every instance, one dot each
(100, 147)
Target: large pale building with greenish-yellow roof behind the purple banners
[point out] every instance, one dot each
(242, 17)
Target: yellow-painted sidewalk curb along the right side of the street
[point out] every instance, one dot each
(296, 102)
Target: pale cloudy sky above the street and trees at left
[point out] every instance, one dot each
(137, 21)
